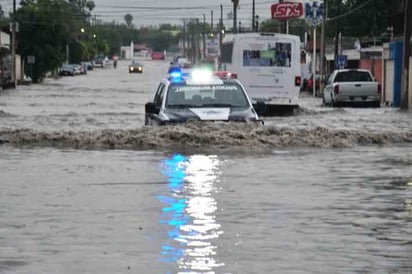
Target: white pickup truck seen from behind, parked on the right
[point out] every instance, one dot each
(352, 87)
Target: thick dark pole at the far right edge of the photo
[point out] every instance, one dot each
(405, 96)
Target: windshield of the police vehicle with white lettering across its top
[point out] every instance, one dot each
(208, 95)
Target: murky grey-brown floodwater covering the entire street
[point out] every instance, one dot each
(86, 188)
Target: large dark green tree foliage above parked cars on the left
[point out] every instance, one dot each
(49, 29)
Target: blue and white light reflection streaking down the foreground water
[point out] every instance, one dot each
(189, 212)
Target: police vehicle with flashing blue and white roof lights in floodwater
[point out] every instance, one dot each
(199, 95)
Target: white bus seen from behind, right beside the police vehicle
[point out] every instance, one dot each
(268, 65)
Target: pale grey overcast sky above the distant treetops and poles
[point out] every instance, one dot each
(155, 12)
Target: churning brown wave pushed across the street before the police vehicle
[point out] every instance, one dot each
(242, 136)
